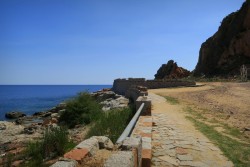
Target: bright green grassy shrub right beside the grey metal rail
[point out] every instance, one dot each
(111, 124)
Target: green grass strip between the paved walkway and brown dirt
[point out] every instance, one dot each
(236, 151)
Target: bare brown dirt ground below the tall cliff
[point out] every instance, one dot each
(225, 101)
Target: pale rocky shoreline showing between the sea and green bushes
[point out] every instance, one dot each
(16, 133)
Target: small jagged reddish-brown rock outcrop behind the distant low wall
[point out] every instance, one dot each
(171, 71)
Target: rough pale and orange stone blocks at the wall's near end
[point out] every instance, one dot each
(128, 154)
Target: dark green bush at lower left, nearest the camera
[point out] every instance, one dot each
(55, 142)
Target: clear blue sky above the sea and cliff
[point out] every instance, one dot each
(97, 41)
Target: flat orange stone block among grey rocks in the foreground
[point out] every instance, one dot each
(77, 154)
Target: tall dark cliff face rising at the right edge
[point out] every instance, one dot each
(229, 47)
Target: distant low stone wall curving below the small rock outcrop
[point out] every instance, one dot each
(121, 86)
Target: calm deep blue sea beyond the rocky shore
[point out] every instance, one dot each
(33, 98)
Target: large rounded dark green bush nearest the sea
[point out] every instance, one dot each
(81, 110)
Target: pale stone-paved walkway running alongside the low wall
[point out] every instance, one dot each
(176, 142)
